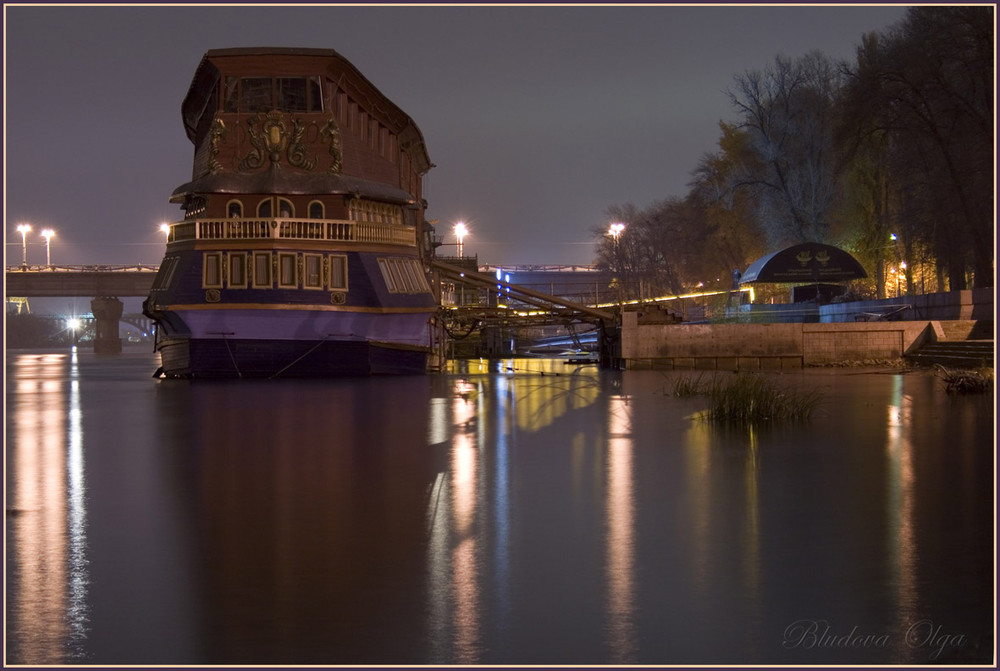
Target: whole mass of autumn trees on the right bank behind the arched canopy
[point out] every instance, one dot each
(891, 157)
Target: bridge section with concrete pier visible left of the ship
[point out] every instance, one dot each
(105, 284)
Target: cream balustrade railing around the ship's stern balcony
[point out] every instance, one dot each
(332, 230)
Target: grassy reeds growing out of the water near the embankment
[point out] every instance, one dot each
(749, 399)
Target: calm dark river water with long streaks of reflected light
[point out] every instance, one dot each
(515, 512)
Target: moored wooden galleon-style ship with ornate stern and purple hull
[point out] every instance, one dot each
(301, 252)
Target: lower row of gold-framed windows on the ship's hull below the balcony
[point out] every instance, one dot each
(291, 270)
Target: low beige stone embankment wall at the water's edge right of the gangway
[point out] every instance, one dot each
(766, 346)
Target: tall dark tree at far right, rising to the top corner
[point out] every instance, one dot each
(918, 109)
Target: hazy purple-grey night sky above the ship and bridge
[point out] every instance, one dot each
(536, 118)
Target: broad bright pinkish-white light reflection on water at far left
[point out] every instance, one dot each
(46, 511)
